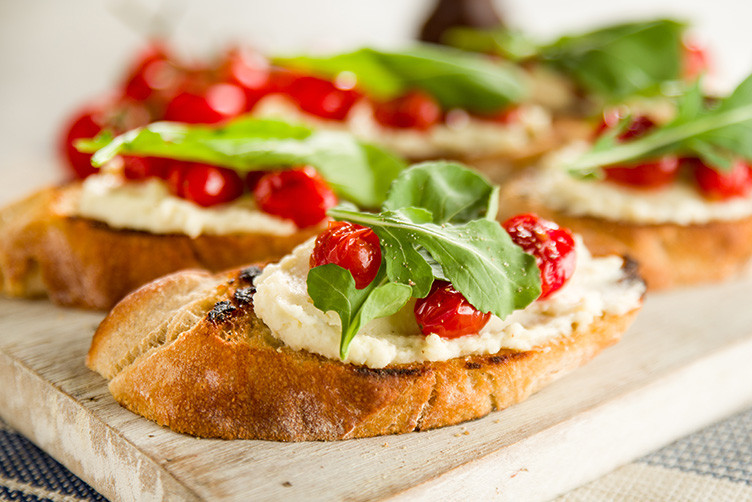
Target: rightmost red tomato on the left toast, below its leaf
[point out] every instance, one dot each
(300, 195)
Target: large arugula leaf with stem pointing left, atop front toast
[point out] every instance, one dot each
(478, 257)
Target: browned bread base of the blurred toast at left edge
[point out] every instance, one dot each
(84, 263)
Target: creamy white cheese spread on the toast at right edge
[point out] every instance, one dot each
(680, 203)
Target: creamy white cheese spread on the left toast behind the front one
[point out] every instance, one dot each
(148, 206)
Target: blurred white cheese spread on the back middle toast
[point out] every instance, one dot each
(461, 135)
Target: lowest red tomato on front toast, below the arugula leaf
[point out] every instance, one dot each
(447, 313)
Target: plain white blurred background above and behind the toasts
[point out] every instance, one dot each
(54, 55)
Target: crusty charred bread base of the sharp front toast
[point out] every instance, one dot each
(189, 353)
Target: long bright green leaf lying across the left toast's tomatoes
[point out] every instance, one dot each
(356, 171)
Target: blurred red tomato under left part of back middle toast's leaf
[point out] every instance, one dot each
(321, 97)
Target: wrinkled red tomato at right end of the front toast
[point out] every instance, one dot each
(552, 247)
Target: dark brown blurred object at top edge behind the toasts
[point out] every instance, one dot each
(454, 13)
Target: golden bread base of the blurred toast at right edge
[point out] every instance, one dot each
(669, 255)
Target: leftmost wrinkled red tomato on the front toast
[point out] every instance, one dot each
(352, 247)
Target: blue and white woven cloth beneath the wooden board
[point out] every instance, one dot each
(712, 464)
